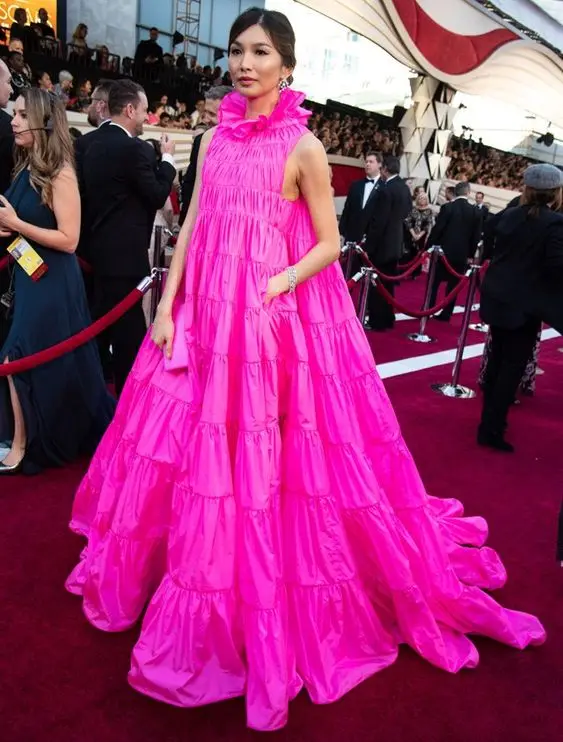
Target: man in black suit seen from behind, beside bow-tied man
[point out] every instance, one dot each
(385, 238)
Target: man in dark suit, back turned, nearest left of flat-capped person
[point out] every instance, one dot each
(458, 232)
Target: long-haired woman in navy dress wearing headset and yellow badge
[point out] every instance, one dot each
(53, 413)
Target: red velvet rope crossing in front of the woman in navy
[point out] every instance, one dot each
(71, 343)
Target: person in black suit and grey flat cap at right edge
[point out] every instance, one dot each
(522, 288)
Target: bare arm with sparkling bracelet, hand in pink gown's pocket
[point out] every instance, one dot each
(313, 180)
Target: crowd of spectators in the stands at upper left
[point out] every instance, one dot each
(36, 58)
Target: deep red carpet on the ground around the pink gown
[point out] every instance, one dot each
(62, 681)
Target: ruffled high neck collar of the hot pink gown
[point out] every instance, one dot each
(287, 111)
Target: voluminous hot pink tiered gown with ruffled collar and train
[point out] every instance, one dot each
(256, 491)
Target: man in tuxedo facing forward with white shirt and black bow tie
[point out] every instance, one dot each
(359, 202)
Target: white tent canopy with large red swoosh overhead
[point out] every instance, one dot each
(463, 45)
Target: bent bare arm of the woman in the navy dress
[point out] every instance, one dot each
(66, 207)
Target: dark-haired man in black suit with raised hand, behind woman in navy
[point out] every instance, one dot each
(122, 190)
